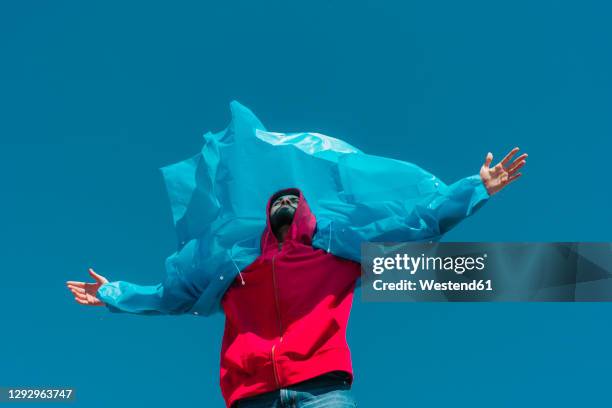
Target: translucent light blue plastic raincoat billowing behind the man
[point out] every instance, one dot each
(218, 200)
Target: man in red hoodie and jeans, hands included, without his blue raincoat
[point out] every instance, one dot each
(284, 343)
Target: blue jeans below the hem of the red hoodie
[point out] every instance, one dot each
(331, 390)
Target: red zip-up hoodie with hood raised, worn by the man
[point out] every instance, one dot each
(287, 322)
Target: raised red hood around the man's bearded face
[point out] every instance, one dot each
(302, 227)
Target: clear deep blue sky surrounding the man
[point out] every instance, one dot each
(95, 97)
